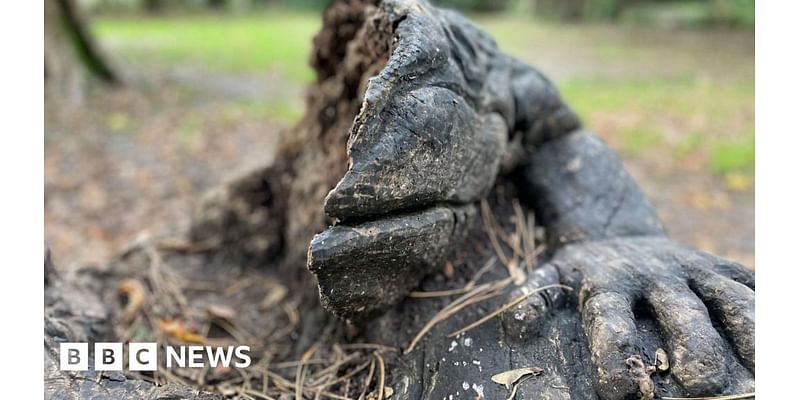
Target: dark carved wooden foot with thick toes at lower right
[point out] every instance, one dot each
(703, 307)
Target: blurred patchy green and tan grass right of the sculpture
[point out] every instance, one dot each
(687, 95)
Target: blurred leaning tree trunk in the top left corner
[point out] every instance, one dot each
(71, 56)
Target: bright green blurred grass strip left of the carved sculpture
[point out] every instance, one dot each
(279, 40)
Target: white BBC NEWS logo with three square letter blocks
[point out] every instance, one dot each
(144, 356)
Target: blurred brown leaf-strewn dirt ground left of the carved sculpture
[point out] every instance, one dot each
(135, 160)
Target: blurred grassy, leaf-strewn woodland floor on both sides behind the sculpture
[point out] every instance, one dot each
(206, 98)
